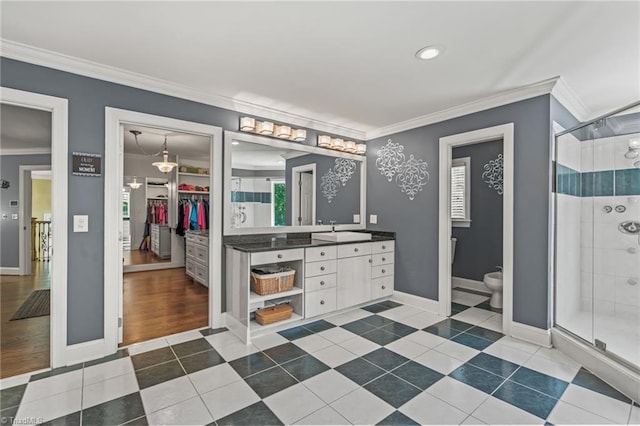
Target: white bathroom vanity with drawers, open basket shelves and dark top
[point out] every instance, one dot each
(329, 277)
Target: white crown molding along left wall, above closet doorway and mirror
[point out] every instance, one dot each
(50, 59)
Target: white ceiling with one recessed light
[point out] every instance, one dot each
(350, 63)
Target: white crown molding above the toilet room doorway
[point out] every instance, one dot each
(503, 98)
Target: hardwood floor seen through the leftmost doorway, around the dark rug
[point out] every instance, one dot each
(24, 344)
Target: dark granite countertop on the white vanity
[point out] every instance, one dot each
(259, 243)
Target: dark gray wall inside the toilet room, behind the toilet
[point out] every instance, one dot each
(479, 247)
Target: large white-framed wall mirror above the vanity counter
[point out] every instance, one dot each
(274, 186)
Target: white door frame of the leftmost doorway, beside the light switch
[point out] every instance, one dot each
(58, 107)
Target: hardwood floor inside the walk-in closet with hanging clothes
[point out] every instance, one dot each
(163, 302)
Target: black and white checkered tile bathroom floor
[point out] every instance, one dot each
(384, 364)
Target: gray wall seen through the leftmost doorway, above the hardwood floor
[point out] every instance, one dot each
(9, 169)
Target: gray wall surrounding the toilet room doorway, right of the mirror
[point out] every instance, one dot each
(416, 222)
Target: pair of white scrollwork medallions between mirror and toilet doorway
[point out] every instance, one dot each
(410, 175)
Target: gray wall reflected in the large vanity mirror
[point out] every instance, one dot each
(343, 206)
